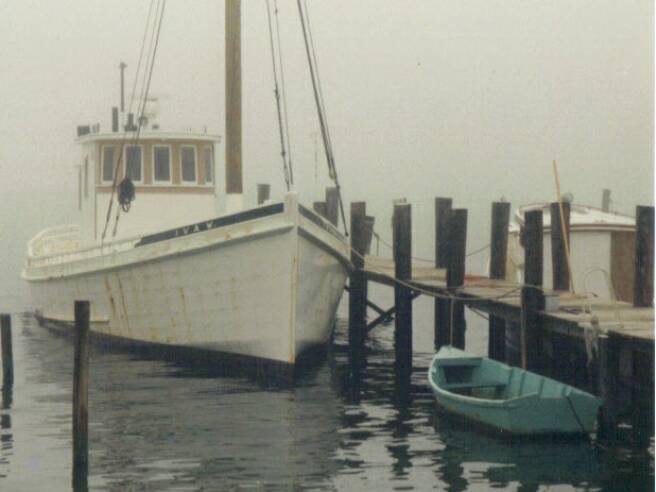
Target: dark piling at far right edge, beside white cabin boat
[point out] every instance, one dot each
(644, 259)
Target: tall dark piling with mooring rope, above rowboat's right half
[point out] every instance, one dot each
(532, 297)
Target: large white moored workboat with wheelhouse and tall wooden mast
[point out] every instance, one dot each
(160, 265)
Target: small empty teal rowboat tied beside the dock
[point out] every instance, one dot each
(509, 399)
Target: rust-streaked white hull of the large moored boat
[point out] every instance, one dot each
(265, 287)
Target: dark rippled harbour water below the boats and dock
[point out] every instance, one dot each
(156, 426)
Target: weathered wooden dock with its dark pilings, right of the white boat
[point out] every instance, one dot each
(557, 333)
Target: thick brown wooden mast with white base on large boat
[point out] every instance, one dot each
(234, 186)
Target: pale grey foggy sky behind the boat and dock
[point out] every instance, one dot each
(471, 100)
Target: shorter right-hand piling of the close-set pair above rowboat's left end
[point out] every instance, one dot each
(455, 275)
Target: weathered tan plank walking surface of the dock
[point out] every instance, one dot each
(573, 315)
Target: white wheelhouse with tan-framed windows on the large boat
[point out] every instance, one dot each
(173, 175)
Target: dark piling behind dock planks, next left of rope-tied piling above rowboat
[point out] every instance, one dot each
(498, 256)
